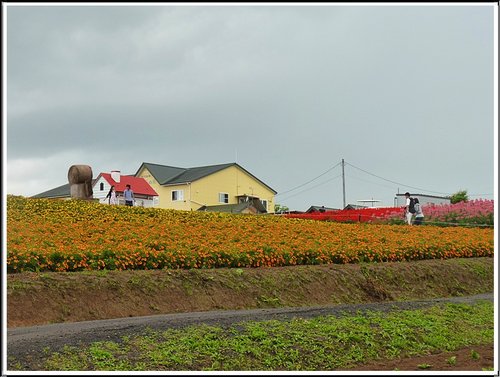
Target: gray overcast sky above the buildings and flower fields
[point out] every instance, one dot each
(402, 93)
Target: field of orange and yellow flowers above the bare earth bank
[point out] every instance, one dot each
(56, 235)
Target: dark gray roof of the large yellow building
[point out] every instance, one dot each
(170, 175)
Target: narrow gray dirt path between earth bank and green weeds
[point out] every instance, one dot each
(26, 344)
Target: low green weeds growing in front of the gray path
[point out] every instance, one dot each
(322, 343)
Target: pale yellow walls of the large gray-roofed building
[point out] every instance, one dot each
(205, 191)
